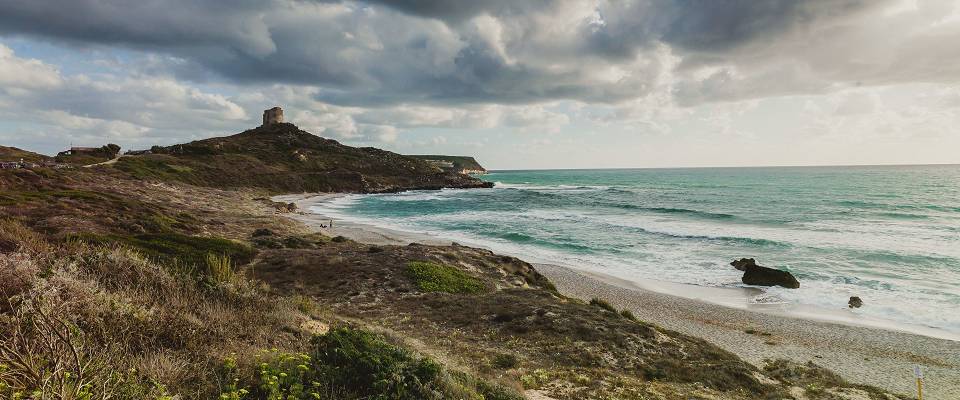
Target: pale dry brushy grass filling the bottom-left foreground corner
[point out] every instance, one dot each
(83, 321)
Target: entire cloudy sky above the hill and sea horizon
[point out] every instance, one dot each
(519, 84)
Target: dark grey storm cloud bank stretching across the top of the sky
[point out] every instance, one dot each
(383, 52)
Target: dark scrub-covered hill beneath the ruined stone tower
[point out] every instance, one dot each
(282, 158)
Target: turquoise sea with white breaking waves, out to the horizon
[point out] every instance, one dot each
(889, 234)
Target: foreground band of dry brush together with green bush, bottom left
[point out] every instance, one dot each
(85, 321)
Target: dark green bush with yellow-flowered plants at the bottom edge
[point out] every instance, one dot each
(350, 363)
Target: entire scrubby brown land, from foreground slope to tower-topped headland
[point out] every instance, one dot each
(171, 274)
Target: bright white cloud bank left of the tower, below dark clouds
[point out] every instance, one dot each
(132, 110)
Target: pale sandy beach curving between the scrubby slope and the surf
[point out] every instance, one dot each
(871, 352)
